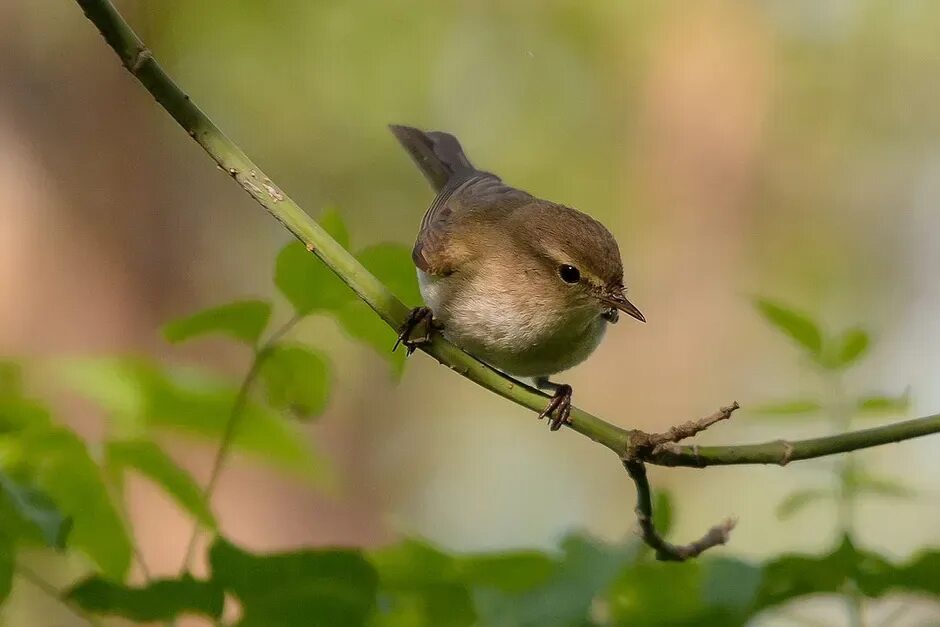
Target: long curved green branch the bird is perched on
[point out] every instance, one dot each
(140, 62)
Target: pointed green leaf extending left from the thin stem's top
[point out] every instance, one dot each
(244, 320)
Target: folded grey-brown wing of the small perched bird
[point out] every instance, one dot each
(477, 198)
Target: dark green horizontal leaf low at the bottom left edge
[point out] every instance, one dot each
(161, 600)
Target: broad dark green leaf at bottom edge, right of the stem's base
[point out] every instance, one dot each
(315, 588)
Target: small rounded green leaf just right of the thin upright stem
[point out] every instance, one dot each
(297, 379)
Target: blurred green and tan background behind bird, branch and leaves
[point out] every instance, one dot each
(784, 148)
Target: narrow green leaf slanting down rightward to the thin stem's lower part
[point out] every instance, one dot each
(148, 459)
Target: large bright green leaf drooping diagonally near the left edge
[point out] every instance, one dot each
(64, 470)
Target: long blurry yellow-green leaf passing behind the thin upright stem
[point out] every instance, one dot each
(192, 402)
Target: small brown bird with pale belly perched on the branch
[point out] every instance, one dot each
(526, 285)
